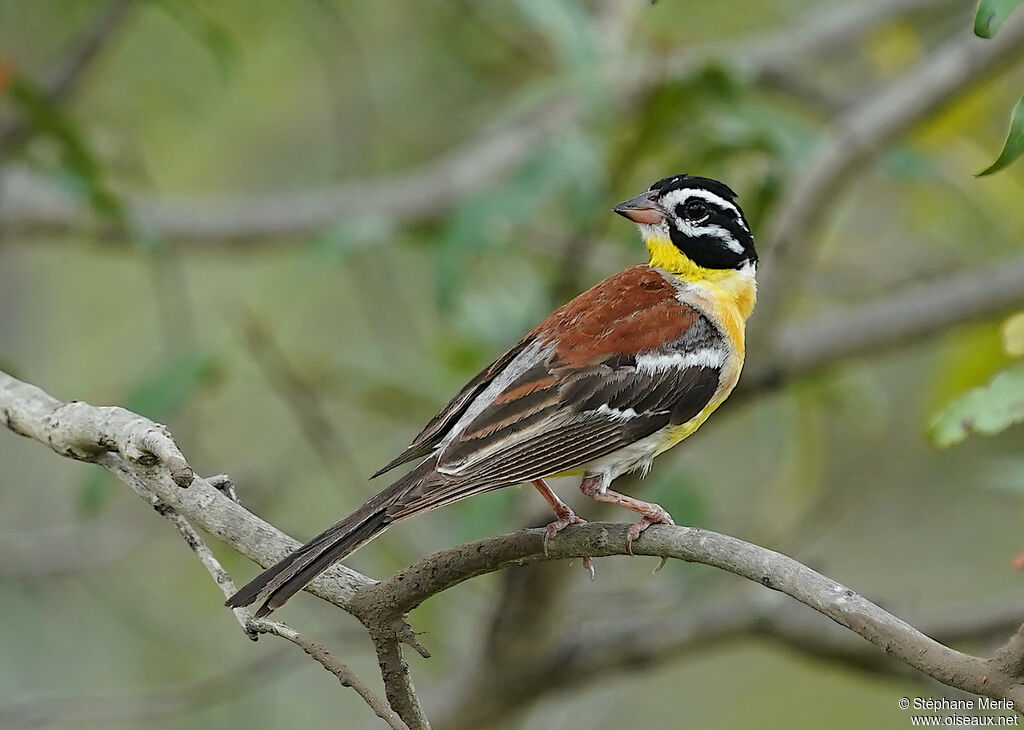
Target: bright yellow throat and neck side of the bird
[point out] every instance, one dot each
(729, 294)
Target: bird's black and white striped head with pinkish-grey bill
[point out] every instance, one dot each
(700, 217)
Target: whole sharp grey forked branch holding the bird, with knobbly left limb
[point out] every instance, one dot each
(143, 454)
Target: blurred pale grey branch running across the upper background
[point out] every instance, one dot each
(32, 205)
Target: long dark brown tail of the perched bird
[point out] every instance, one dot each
(292, 574)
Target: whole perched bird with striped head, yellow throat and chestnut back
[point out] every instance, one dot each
(608, 382)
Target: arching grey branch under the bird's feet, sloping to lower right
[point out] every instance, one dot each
(411, 587)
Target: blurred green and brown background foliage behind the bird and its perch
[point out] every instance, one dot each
(292, 231)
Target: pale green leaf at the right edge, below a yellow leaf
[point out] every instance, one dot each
(988, 410)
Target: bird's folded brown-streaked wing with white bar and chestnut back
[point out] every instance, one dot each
(616, 365)
